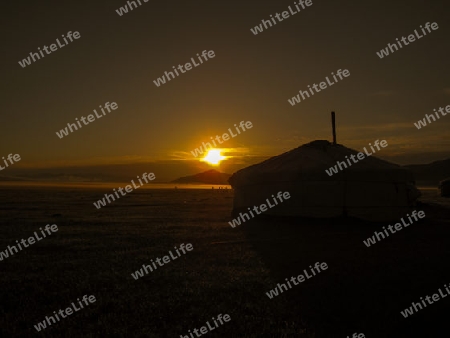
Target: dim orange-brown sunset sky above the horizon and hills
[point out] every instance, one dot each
(250, 79)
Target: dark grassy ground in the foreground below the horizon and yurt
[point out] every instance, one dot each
(228, 272)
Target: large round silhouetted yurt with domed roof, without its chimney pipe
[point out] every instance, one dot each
(371, 189)
